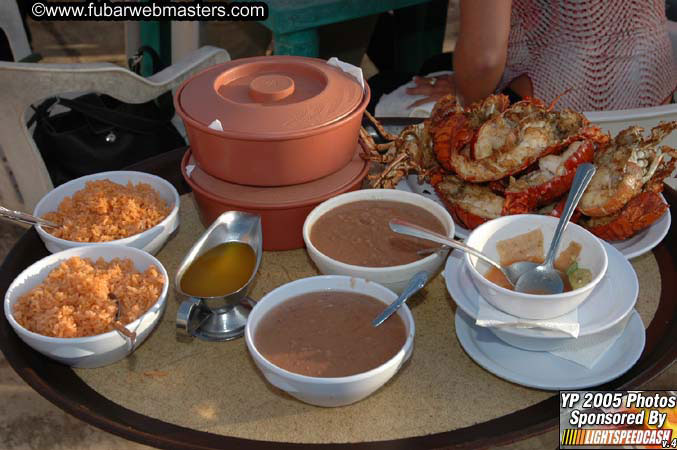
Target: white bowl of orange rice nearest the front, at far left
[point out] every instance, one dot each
(63, 306)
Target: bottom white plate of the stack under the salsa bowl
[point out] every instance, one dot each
(544, 370)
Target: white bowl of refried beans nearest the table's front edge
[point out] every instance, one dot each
(313, 338)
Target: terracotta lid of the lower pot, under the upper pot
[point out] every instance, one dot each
(277, 197)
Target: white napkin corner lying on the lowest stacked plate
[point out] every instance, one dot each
(588, 350)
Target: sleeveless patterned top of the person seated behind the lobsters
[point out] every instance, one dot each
(613, 54)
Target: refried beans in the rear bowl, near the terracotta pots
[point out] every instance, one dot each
(358, 233)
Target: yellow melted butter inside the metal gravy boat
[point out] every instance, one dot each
(221, 270)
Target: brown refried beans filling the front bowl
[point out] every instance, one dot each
(329, 334)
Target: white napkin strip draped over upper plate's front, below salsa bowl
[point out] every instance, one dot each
(488, 316)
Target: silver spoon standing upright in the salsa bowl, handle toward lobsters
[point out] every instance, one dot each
(543, 278)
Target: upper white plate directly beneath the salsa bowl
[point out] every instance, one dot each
(611, 301)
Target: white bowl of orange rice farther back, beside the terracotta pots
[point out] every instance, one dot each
(134, 209)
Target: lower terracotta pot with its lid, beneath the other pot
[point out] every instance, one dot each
(283, 210)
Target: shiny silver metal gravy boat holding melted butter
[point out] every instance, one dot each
(222, 317)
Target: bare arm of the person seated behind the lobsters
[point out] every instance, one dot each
(482, 47)
